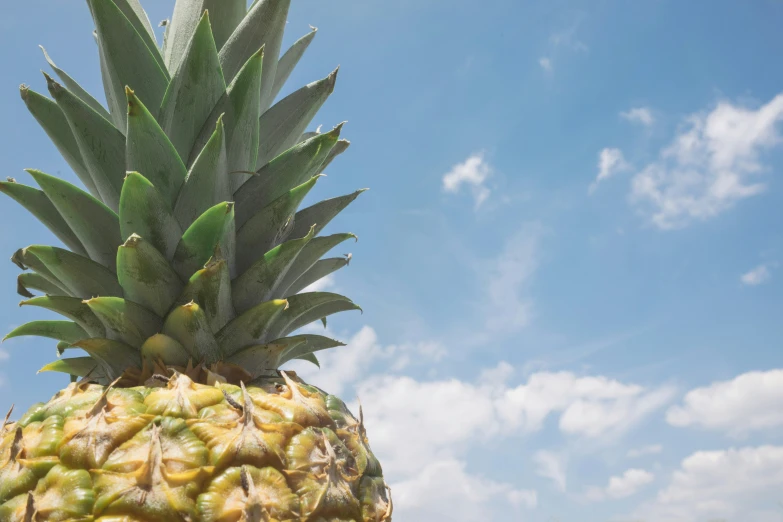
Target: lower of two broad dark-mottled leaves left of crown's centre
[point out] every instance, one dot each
(146, 277)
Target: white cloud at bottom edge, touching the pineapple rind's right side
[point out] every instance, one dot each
(444, 491)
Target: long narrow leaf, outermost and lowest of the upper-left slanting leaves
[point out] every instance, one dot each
(51, 118)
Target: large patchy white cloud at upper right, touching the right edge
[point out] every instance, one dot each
(709, 166)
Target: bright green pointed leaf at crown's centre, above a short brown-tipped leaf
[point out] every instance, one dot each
(214, 229)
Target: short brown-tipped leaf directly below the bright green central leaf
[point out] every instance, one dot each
(210, 288)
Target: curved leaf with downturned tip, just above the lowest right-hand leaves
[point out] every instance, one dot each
(306, 308)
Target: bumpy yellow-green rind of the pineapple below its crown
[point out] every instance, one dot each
(280, 450)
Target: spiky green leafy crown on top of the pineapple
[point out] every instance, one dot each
(186, 249)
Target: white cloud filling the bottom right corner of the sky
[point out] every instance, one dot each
(733, 485)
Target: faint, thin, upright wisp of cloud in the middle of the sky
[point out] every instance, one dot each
(508, 276)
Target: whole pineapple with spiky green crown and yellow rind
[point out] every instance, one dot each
(182, 286)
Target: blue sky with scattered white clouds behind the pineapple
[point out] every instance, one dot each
(569, 261)
